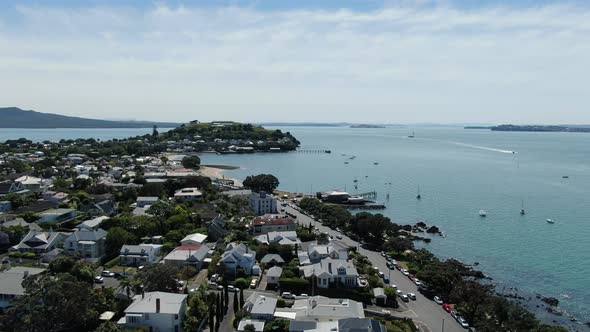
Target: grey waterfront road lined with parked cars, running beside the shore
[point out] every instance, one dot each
(423, 310)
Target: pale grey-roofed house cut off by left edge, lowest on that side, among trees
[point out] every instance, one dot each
(11, 281)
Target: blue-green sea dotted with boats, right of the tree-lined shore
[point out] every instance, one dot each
(460, 172)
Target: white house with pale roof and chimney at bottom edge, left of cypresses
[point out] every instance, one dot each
(157, 311)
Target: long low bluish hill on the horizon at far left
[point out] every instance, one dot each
(14, 117)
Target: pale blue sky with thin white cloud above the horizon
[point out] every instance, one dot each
(404, 61)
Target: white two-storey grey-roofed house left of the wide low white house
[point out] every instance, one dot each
(88, 243)
